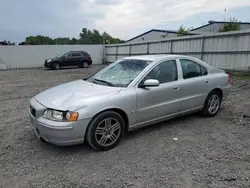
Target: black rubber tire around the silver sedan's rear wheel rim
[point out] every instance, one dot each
(206, 112)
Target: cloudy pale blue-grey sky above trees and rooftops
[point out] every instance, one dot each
(120, 18)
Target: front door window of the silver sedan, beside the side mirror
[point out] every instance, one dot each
(164, 72)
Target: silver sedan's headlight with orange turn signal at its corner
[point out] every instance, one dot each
(60, 115)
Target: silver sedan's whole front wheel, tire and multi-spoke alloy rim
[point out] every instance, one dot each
(105, 130)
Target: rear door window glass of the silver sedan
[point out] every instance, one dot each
(191, 69)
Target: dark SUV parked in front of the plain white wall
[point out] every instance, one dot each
(72, 58)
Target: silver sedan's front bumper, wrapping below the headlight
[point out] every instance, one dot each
(58, 133)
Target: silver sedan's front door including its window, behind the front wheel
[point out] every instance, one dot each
(154, 103)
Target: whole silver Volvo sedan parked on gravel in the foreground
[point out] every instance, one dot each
(130, 93)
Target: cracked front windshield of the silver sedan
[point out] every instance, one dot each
(121, 74)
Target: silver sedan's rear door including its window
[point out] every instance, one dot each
(194, 86)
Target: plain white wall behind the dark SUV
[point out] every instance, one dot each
(34, 56)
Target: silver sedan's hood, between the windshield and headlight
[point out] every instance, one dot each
(74, 95)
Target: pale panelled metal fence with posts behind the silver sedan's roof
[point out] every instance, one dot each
(225, 50)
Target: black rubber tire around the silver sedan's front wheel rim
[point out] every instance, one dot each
(97, 122)
